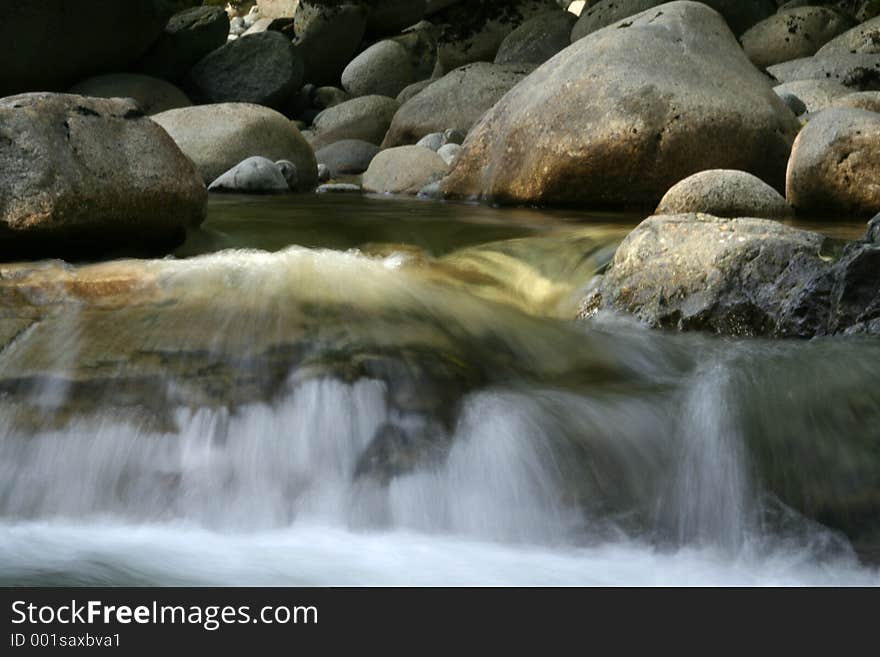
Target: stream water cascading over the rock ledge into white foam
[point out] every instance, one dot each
(332, 391)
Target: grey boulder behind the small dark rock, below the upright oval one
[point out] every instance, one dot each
(366, 118)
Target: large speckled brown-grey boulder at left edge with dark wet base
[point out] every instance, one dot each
(82, 175)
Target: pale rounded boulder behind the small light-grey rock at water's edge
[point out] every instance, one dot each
(217, 137)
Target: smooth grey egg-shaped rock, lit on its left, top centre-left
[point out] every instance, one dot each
(383, 69)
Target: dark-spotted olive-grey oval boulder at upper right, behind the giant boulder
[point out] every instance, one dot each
(792, 34)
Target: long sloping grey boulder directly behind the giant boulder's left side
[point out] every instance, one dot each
(457, 100)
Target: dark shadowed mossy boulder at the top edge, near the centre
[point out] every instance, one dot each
(473, 30)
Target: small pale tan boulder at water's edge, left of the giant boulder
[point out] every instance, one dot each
(403, 170)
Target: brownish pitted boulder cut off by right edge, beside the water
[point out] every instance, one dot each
(835, 164)
